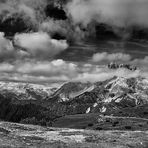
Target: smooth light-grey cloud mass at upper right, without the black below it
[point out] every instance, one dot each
(115, 12)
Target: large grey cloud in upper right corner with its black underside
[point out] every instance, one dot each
(114, 19)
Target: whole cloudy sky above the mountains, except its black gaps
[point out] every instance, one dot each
(33, 55)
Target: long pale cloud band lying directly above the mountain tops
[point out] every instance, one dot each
(61, 71)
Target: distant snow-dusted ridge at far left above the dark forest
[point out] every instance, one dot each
(25, 91)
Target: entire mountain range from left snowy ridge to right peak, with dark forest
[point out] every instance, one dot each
(119, 96)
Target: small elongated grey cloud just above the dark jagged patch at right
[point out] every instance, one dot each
(99, 57)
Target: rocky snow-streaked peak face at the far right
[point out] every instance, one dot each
(123, 92)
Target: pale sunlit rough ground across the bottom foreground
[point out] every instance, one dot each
(19, 135)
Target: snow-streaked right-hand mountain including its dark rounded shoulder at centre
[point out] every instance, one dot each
(113, 94)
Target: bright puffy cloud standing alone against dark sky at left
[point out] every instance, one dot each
(40, 44)
